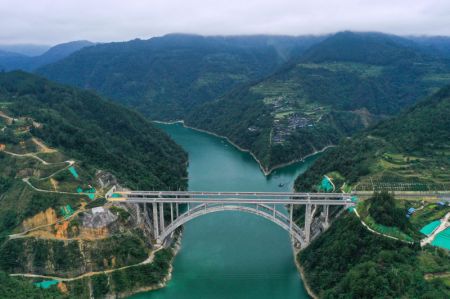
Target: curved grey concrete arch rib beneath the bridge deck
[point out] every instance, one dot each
(267, 212)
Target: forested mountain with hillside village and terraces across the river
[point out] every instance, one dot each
(338, 86)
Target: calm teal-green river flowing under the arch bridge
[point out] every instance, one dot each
(231, 255)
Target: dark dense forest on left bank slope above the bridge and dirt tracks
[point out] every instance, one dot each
(102, 135)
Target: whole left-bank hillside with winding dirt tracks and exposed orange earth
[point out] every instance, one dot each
(61, 149)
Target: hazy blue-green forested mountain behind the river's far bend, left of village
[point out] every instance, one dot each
(165, 77)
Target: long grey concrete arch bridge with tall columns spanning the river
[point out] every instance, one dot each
(187, 205)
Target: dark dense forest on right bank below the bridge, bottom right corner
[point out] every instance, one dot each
(348, 261)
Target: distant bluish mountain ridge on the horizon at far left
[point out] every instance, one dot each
(15, 61)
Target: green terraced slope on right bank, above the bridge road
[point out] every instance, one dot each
(413, 147)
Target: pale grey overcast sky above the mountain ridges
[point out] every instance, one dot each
(56, 21)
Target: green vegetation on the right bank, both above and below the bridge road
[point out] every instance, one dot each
(350, 261)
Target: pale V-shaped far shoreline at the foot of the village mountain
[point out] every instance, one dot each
(263, 169)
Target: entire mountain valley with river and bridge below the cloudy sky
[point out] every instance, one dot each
(360, 114)
